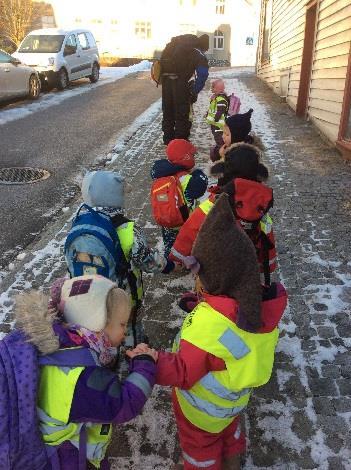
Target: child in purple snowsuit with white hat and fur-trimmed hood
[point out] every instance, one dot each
(79, 397)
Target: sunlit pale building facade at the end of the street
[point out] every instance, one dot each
(141, 28)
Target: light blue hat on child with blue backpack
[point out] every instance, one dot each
(103, 189)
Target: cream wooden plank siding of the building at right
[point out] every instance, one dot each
(330, 58)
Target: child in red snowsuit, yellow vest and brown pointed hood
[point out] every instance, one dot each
(225, 347)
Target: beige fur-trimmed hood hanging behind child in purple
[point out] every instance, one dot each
(35, 319)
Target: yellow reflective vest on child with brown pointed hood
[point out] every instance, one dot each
(215, 400)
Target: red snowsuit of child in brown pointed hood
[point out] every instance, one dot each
(186, 367)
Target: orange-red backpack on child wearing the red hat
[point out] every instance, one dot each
(168, 203)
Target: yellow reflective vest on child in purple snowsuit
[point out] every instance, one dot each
(55, 396)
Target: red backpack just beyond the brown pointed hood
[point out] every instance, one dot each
(251, 201)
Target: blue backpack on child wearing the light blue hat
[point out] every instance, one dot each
(93, 234)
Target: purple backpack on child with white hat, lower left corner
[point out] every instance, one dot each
(21, 443)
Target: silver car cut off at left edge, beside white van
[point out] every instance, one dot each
(17, 79)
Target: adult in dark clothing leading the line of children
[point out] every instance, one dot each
(182, 58)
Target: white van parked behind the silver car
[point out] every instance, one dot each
(60, 56)
